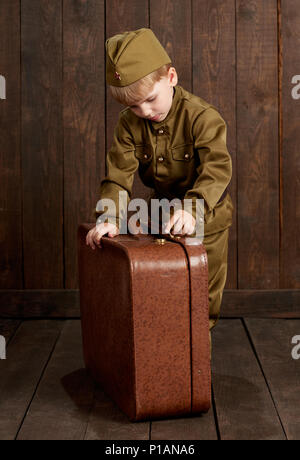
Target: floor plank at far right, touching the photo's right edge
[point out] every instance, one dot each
(273, 344)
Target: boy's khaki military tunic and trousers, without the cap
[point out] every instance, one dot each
(183, 156)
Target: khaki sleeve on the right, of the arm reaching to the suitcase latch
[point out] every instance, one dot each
(215, 166)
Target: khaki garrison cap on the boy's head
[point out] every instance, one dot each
(132, 55)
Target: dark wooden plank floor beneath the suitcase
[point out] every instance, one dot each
(46, 394)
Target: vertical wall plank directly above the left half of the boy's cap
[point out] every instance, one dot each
(123, 15)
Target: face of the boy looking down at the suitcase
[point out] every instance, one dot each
(158, 101)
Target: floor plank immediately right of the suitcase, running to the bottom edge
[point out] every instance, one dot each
(244, 407)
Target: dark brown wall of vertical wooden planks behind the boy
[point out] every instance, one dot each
(57, 120)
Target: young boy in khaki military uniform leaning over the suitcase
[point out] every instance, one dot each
(176, 140)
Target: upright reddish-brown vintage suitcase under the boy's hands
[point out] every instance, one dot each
(145, 329)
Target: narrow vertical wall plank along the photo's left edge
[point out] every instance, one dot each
(11, 273)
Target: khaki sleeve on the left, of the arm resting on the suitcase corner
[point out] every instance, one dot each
(121, 165)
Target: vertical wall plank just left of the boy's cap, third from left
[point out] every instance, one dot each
(84, 120)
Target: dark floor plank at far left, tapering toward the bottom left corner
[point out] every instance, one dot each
(26, 357)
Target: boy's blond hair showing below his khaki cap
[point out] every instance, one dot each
(128, 95)
